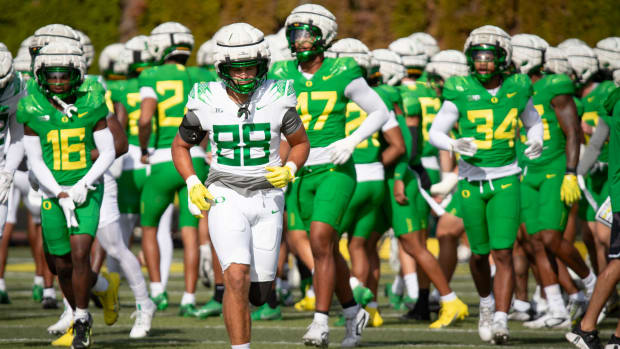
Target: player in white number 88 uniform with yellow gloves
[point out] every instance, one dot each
(244, 116)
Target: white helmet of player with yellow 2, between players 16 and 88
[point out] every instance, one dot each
(170, 39)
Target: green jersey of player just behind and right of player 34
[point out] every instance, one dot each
(554, 140)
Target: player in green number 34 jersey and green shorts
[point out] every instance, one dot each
(486, 105)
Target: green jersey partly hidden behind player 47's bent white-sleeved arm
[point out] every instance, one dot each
(369, 150)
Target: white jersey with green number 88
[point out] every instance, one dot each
(244, 145)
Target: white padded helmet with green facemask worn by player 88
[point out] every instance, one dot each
(241, 44)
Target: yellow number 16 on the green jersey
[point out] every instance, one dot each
(69, 150)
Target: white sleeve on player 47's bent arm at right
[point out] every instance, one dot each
(359, 92)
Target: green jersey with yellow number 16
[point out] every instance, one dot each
(66, 142)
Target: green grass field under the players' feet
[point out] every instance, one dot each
(23, 323)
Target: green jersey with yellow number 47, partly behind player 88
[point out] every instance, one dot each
(321, 101)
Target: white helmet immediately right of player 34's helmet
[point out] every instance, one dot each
(528, 52)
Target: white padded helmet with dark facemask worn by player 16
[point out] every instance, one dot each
(60, 55)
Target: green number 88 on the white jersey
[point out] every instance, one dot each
(241, 139)
